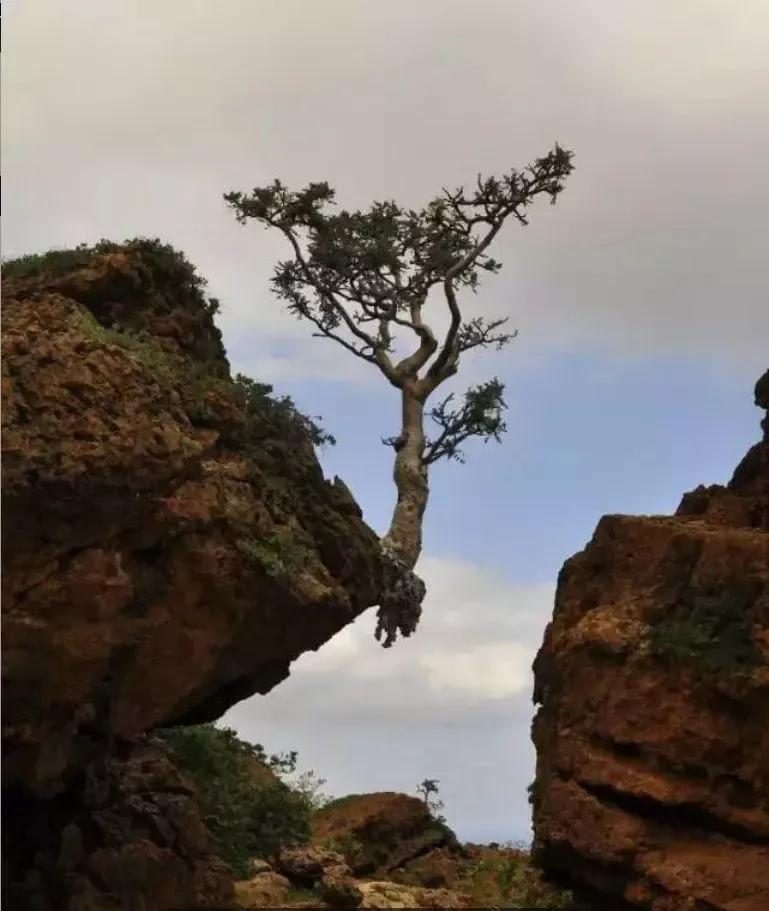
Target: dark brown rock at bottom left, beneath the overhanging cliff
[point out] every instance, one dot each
(133, 827)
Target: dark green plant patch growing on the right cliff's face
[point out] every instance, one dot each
(714, 632)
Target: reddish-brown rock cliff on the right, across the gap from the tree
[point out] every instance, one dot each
(652, 735)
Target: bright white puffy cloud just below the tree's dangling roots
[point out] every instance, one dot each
(474, 648)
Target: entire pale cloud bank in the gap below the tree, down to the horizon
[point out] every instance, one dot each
(453, 702)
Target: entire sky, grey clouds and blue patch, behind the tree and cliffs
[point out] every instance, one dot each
(640, 298)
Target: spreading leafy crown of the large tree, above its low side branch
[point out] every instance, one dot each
(363, 277)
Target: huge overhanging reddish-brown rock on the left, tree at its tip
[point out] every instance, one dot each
(170, 544)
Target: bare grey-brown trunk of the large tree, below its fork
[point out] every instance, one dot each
(410, 474)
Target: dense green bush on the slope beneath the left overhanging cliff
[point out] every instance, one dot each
(248, 809)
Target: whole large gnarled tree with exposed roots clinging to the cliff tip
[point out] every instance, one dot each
(365, 279)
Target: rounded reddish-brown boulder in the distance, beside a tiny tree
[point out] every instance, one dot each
(381, 832)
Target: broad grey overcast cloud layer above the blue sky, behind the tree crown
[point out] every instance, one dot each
(133, 117)
